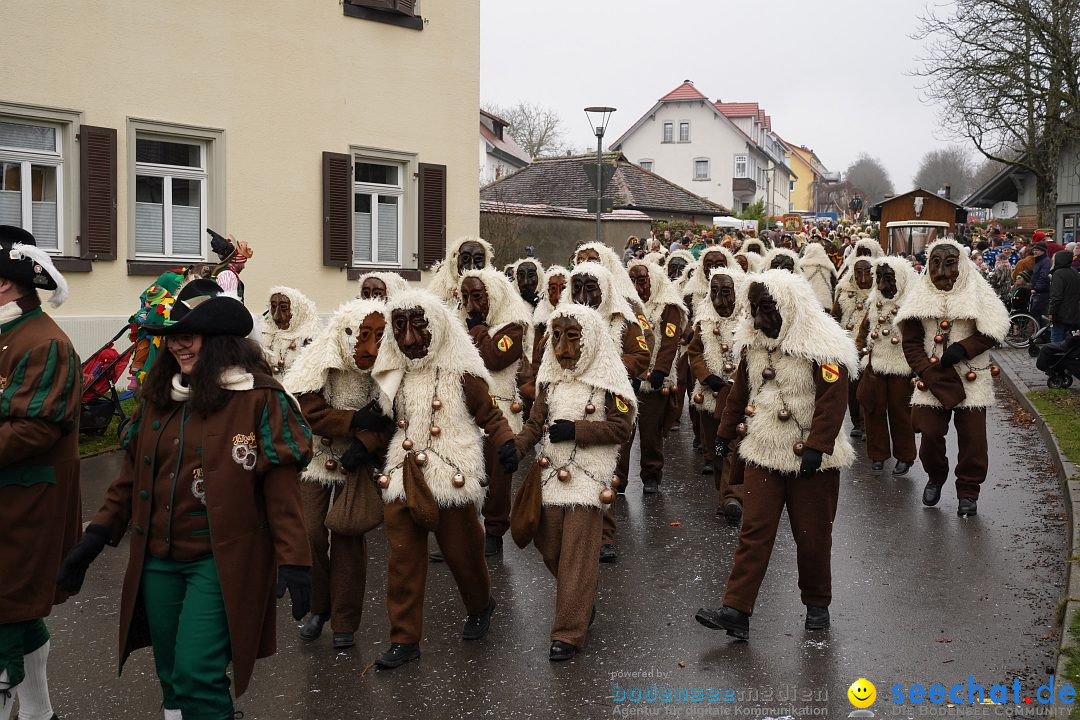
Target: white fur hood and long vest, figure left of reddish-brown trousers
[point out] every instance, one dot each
(414, 385)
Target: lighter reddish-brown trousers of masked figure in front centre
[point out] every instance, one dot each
(570, 540)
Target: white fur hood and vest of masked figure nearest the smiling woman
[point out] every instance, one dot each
(328, 366)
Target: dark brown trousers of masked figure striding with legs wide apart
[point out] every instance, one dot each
(812, 507)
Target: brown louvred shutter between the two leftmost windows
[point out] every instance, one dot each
(98, 193)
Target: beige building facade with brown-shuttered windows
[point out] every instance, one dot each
(333, 138)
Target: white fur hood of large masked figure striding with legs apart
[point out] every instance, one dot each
(807, 333)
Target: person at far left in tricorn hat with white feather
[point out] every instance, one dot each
(39, 468)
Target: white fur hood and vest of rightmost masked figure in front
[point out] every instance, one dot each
(971, 306)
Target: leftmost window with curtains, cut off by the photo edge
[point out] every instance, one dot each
(32, 181)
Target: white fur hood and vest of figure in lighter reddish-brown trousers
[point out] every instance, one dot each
(599, 372)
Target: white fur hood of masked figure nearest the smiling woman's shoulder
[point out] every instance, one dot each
(333, 348)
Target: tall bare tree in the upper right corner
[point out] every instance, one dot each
(1006, 75)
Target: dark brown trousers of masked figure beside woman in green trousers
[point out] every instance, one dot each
(339, 563)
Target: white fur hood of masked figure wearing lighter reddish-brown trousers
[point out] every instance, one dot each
(600, 365)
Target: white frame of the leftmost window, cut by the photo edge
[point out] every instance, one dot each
(65, 159)
